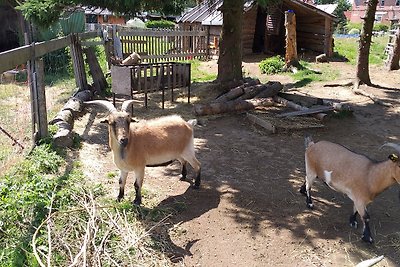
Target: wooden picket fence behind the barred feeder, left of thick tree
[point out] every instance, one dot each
(155, 45)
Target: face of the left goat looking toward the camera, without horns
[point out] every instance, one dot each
(118, 123)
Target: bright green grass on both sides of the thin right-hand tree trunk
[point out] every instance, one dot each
(348, 48)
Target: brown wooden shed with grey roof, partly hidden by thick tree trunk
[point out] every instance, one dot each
(264, 29)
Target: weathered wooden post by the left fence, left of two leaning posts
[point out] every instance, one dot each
(77, 60)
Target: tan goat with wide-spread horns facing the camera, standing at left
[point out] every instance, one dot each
(147, 142)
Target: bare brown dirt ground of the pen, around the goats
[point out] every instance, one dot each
(249, 211)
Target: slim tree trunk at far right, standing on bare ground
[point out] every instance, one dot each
(362, 75)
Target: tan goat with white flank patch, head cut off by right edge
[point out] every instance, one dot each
(360, 178)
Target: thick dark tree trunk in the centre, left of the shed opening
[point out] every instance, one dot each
(230, 56)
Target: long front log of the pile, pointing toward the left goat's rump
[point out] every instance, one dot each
(231, 106)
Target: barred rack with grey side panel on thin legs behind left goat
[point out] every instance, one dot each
(150, 77)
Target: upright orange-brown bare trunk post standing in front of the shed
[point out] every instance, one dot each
(291, 58)
